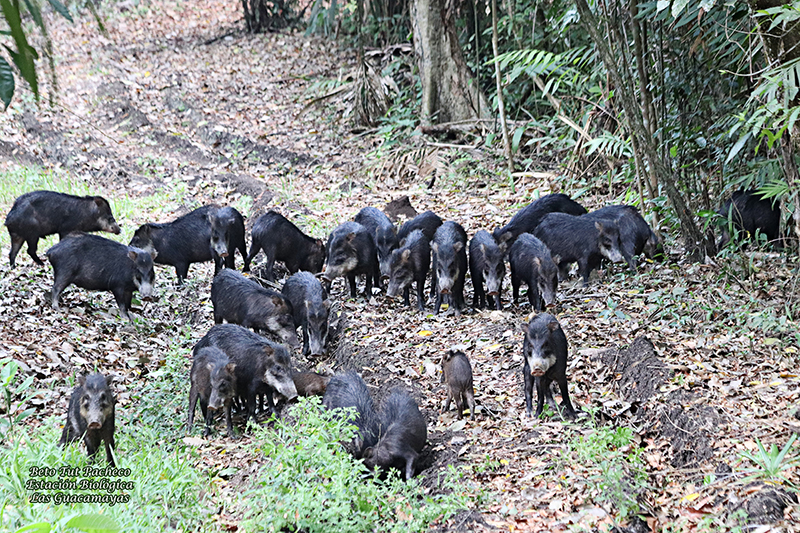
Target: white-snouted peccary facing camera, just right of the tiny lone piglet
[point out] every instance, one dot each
(545, 352)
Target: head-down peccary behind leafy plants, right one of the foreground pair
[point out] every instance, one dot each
(403, 433)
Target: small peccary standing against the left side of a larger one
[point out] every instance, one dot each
(214, 384)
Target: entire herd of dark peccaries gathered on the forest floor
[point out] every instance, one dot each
(239, 364)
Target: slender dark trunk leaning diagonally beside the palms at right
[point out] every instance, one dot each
(697, 246)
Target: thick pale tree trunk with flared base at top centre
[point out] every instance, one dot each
(450, 92)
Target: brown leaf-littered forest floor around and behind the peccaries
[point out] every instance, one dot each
(678, 371)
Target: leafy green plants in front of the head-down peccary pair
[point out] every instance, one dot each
(307, 482)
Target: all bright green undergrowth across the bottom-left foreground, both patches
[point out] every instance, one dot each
(306, 480)
